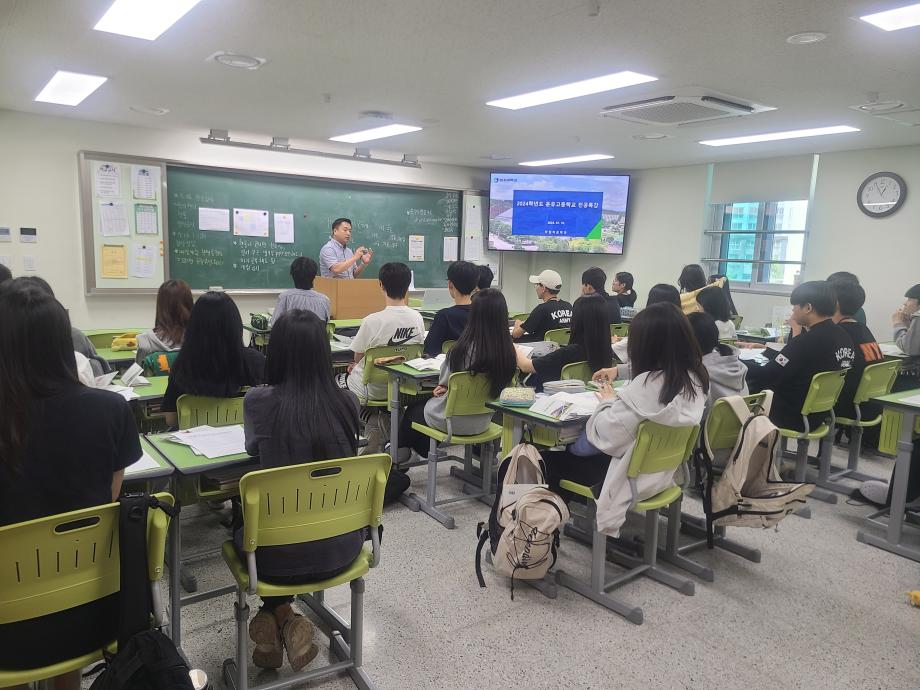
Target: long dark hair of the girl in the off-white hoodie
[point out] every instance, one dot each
(660, 339)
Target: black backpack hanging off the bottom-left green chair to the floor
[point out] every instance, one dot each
(146, 658)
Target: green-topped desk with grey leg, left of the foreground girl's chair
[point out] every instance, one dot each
(188, 465)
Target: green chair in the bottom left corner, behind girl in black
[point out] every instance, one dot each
(62, 561)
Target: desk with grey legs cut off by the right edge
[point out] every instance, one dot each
(894, 521)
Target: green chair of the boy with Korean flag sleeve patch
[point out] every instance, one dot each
(822, 396)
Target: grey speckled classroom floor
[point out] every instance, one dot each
(820, 611)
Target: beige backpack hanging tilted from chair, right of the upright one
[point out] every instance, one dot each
(750, 492)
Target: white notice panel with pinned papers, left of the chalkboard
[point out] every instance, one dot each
(123, 222)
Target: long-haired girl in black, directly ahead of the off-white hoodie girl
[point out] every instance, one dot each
(590, 342)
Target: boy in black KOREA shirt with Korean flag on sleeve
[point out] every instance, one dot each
(822, 346)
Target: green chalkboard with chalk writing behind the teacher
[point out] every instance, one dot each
(383, 219)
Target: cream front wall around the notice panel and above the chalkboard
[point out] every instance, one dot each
(38, 169)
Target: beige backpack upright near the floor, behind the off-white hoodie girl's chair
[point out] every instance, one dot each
(524, 523)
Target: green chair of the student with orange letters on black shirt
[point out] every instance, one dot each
(877, 379)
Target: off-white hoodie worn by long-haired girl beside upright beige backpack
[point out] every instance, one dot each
(612, 429)
